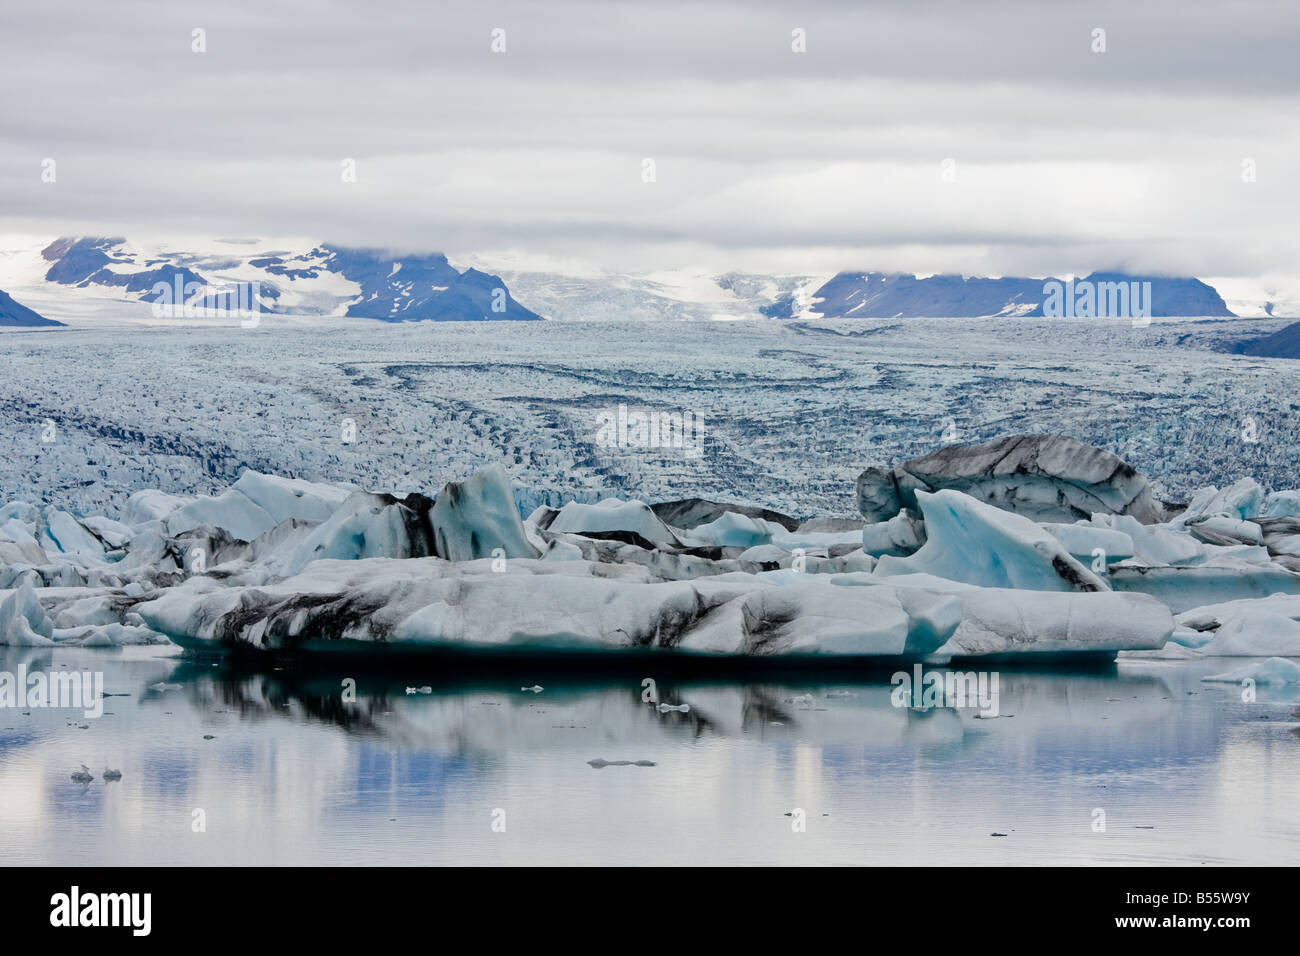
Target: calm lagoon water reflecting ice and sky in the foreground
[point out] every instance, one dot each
(1185, 772)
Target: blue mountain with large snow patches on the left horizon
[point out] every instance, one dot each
(320, 280)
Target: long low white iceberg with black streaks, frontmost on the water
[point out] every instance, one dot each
(382, 604)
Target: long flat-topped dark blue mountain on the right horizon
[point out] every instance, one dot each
(899, 296)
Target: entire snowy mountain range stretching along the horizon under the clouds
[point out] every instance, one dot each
(71, 278)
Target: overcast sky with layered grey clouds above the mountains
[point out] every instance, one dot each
(765, 159)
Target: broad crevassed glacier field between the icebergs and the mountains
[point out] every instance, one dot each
(792, 412)
